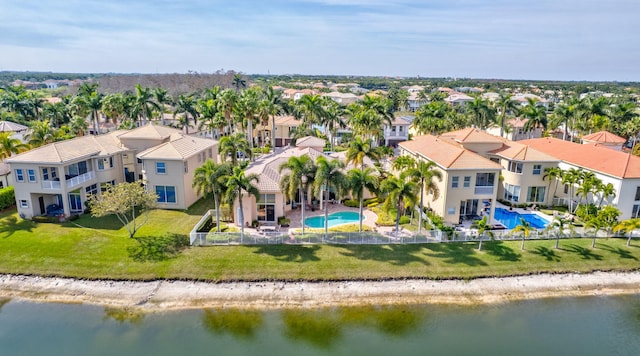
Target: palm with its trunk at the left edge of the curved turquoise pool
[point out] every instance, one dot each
(301, 171)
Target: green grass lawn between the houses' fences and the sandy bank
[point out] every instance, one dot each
(100, 249)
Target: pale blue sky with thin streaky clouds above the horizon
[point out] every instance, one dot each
(500, 39)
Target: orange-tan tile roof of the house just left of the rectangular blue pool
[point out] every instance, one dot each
(447, 153)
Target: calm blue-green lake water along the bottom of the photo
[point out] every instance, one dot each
(566, 326)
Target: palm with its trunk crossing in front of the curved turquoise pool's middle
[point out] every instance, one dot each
(328, 174)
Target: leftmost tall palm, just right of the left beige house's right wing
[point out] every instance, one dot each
(210, 178)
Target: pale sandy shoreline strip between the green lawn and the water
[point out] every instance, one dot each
(167, 295)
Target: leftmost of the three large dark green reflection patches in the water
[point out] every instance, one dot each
(240, 323)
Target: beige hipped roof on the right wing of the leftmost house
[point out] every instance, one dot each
(180, 147)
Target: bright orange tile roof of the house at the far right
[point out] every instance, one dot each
(592, 157)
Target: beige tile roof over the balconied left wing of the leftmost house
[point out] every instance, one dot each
(70, 150)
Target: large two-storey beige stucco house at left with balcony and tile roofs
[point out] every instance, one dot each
(66, 173)
